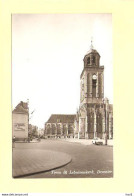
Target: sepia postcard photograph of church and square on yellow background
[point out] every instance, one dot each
(62, 95)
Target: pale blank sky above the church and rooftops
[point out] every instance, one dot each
(47, 60)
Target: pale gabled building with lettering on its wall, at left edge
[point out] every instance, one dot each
(20, 121)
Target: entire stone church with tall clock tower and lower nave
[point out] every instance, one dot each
(95, 115)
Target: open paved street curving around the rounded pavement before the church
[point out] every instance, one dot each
(88, 161)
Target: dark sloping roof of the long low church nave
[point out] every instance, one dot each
(62, 118)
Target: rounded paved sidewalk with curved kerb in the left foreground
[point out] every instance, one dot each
(30, 161)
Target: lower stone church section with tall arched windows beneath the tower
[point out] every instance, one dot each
(95, 120)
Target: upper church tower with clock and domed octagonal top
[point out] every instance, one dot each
(92, 78)
